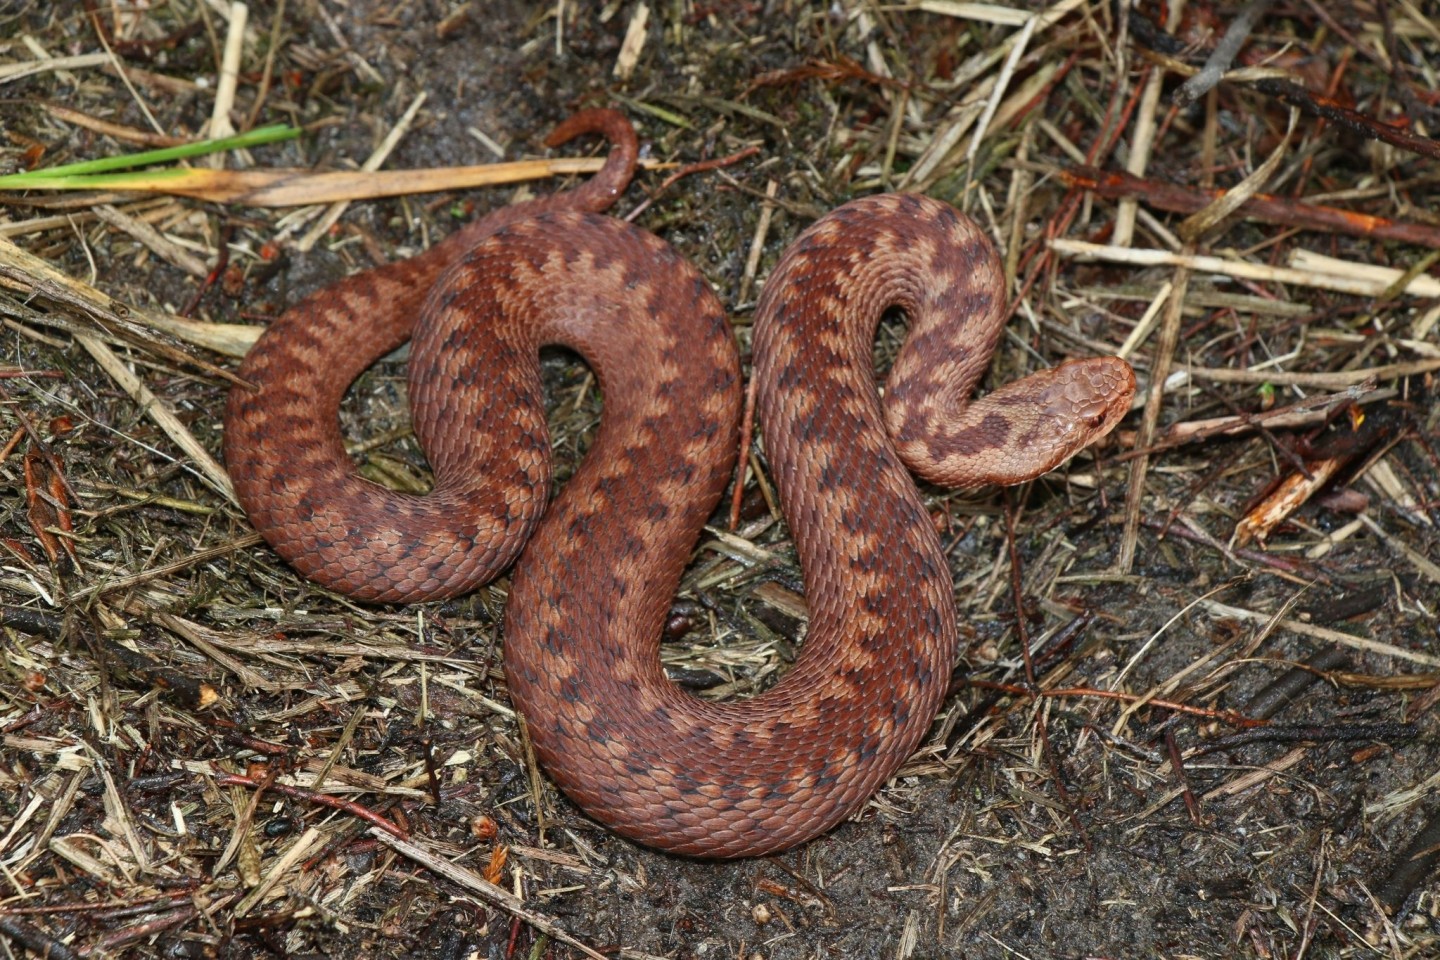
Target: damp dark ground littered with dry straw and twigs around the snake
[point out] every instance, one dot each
(1196, 715)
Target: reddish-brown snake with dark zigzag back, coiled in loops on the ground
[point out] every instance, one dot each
(598, 569)
